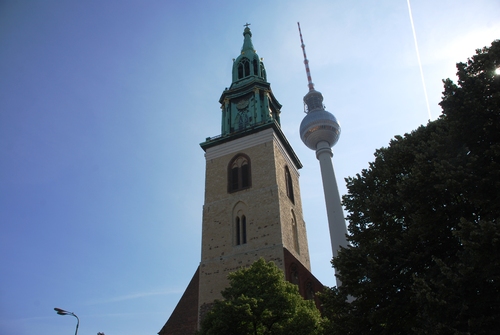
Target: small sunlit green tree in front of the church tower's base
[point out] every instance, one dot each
(259, 301)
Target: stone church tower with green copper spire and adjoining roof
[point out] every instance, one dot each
(252, 205)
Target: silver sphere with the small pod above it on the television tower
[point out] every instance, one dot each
(318, 125)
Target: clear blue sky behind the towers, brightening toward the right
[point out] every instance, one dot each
(103, 105)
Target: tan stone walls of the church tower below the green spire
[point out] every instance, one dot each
(266, 206)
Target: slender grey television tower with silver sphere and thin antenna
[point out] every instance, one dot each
(319, 131)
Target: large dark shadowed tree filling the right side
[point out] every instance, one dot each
(423, 221)
